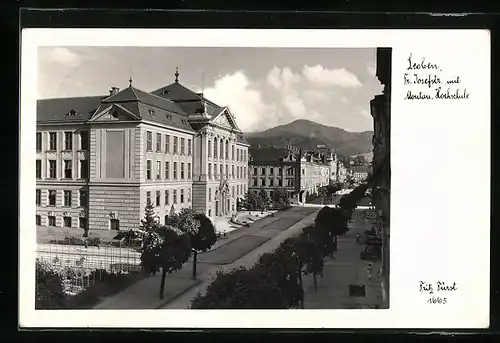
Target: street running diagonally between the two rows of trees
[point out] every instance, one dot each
(180, 288)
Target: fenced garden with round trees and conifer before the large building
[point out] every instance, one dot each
(64, 282)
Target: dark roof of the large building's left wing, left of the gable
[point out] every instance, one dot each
(58, 109)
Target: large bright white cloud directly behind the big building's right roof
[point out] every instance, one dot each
(235, 91)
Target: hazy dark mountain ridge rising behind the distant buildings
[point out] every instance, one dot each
(306, 134)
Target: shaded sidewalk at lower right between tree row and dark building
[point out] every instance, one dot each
(346, 269)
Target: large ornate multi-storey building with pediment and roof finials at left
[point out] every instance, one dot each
(101, 159)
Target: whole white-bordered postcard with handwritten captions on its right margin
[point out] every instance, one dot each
(256, 172)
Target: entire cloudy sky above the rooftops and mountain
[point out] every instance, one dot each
(263, 87)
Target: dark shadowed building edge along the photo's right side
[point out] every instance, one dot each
(381, 178)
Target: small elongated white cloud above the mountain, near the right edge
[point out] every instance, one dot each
(331, 77)
